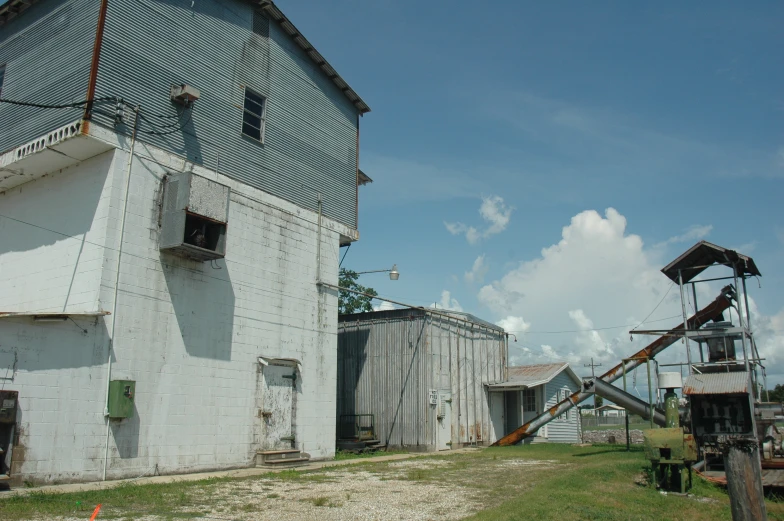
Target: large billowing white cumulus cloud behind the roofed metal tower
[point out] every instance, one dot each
(599, 276)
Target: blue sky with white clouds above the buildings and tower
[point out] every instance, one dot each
(536, 163)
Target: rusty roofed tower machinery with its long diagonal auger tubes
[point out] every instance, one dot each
(726, 418)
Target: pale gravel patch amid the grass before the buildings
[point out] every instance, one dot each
(421, 489)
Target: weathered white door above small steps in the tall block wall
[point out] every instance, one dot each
(277, 401)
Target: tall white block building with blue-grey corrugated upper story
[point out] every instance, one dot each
(166, 280)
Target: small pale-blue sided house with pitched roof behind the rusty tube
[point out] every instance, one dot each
(529, 390)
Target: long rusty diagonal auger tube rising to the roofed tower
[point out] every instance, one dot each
(705, 315)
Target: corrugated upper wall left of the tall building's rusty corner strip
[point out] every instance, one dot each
(47, 52)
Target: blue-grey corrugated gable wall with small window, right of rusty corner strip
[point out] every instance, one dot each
(310, 134)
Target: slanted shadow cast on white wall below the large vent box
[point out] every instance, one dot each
(203, 300)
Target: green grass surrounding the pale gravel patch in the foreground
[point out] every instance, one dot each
(597, 482)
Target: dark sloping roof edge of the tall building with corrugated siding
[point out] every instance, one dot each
(13, 8)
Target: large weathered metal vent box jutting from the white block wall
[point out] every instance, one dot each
(195, 213)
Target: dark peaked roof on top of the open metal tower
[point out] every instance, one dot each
(702, 256)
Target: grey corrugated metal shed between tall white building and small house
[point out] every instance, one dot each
(422, 374)
